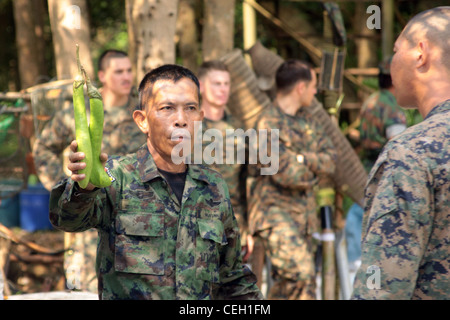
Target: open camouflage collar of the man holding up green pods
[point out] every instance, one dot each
(148, 170)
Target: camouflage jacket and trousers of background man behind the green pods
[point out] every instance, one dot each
(120, 136)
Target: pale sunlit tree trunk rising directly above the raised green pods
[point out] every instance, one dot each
(70, 25)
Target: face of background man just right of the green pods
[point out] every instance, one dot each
(117, 76)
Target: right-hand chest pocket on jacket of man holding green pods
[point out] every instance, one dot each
(210, 238)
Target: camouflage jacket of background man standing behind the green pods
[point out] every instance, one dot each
(121, 135)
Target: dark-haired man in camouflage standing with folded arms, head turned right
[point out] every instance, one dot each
(283, 205)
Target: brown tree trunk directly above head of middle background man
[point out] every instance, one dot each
(218, 28)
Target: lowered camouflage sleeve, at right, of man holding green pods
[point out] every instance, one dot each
(237, 281)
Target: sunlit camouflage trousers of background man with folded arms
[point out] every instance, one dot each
(291, 254)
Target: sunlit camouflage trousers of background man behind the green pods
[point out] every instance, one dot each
(79, 260)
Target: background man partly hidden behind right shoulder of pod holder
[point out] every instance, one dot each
(215, 85)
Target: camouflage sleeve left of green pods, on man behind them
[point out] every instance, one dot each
(49, 146)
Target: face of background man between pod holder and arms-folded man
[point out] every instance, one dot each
(215, 88)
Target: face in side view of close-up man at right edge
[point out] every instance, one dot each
(402, 72)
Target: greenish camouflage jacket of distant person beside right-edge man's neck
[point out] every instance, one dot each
(379, 112)
